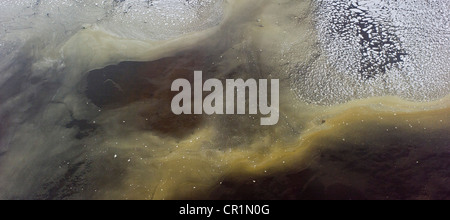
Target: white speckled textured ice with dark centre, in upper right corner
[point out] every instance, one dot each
(379, 47)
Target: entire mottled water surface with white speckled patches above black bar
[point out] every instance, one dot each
(85, 111)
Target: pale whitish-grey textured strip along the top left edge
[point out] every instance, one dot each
(146, 19)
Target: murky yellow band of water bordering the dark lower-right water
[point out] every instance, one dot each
(195, 166)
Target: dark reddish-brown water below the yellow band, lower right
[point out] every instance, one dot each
(385, 166)
